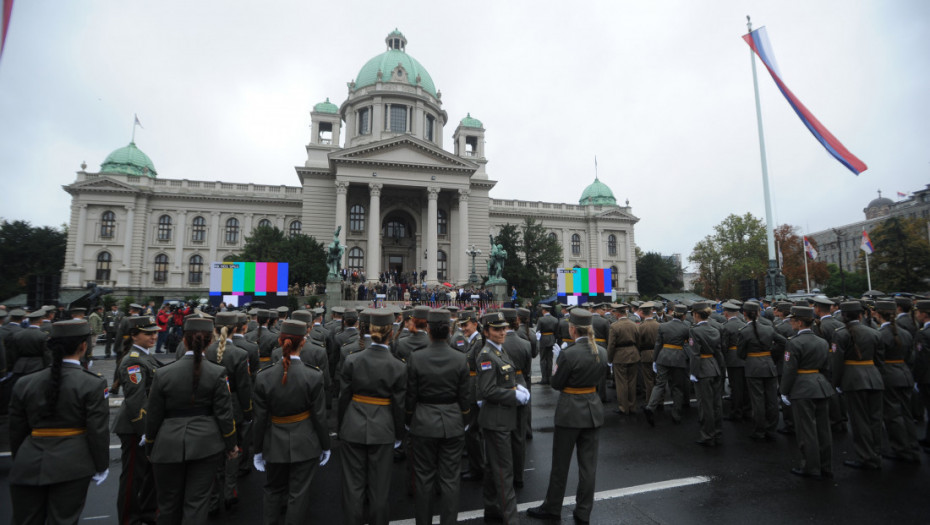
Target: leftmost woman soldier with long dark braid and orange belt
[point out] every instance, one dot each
(58, 420)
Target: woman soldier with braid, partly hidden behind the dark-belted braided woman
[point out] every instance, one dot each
(236, 362)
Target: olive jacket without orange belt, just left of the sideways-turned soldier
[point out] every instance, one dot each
(437, 391)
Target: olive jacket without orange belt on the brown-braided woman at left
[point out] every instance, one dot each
(182, 424)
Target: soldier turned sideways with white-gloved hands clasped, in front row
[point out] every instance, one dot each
(499, 396)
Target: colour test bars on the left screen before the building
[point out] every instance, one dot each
(241, 278)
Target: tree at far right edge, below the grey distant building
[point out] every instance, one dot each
(901, 262)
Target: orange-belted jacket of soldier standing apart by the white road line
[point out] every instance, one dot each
(579, 367)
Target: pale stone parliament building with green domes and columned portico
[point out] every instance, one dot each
(376, 171)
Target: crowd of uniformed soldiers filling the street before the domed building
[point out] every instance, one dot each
(446, 390)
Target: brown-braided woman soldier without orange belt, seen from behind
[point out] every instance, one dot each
(189, 426)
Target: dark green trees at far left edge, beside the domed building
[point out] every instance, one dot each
(26, 250)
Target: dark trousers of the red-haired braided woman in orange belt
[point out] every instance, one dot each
(287, 485)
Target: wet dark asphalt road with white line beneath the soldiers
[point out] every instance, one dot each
(645, 476)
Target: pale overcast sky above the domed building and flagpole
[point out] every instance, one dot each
(660, 92)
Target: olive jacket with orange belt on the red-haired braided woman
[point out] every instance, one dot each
(290, 442)
